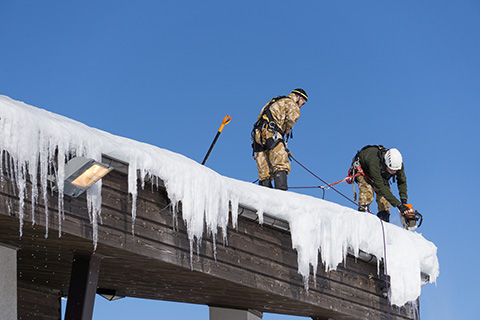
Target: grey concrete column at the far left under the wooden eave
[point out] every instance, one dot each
(8, 283)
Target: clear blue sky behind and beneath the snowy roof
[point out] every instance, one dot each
(404, 74)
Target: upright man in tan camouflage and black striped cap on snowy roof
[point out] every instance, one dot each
(275, 121)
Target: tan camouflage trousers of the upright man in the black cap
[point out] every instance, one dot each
(271, 161)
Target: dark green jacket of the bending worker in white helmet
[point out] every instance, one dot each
(373, 164)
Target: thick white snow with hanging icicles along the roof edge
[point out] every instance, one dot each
(40, 142)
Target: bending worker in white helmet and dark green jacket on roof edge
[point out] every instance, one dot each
(379, 165)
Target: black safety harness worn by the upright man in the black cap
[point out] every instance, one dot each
(264, 124)
